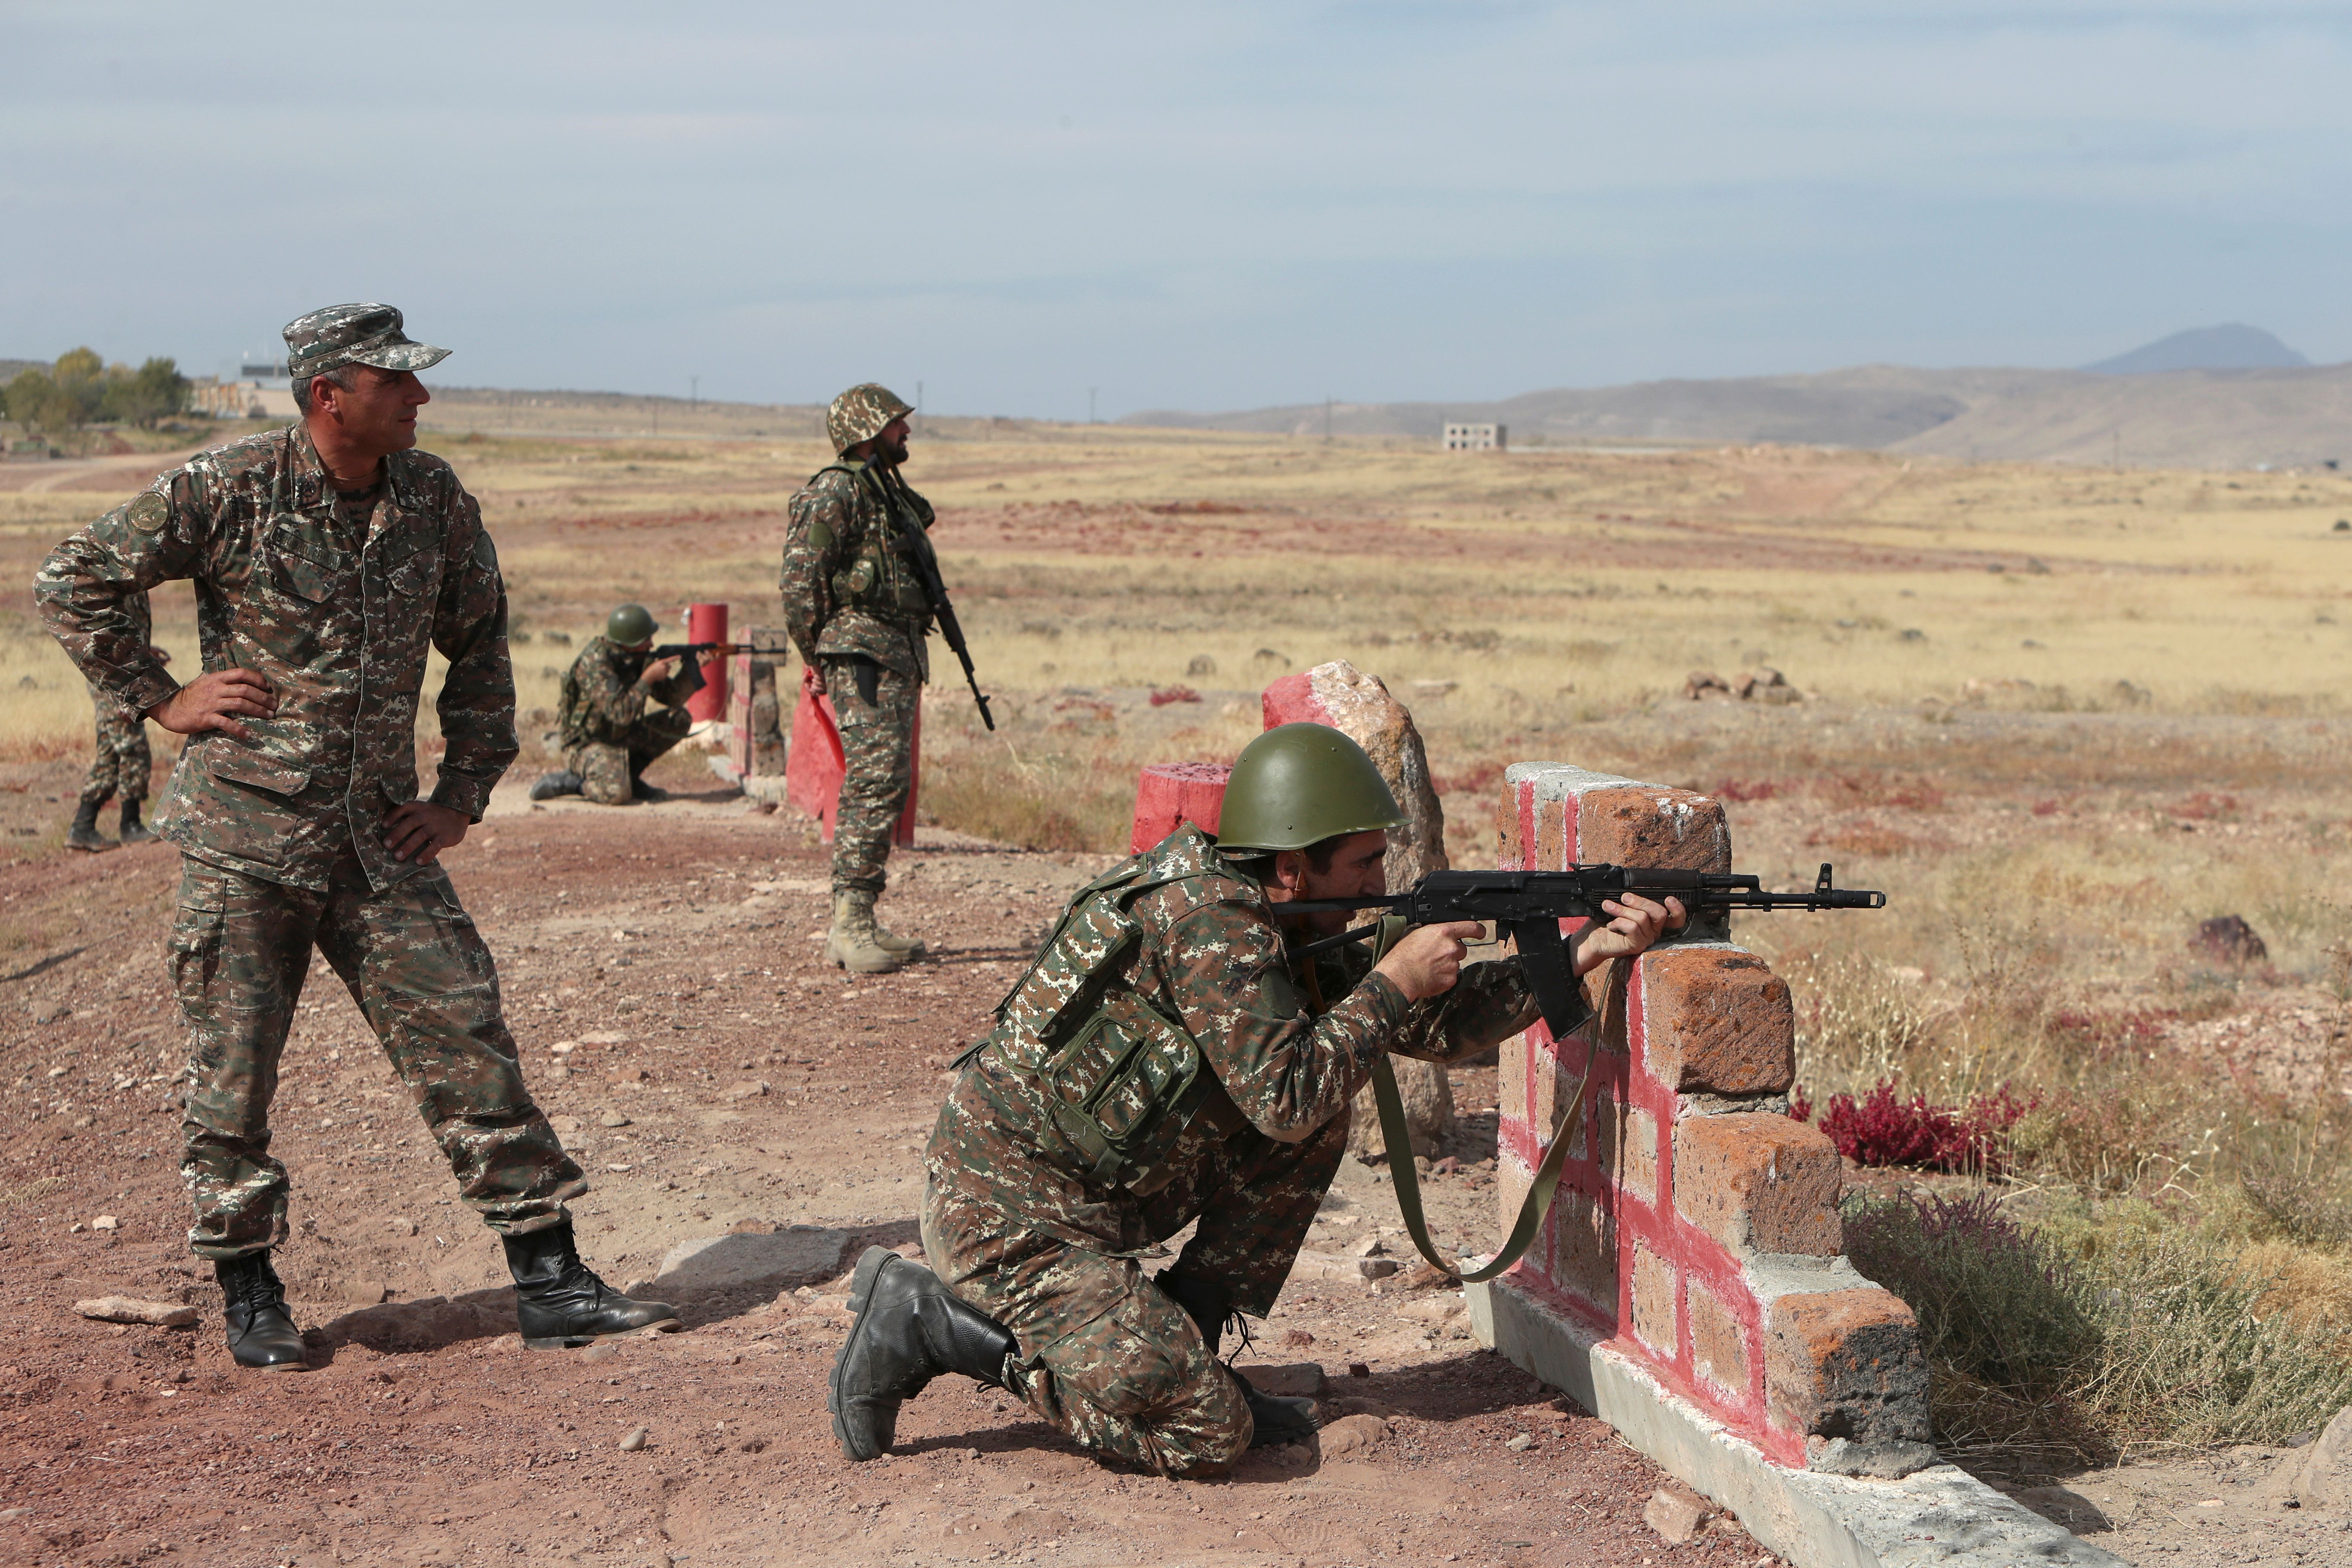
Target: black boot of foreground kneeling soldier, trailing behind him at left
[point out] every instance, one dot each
(909, 1332)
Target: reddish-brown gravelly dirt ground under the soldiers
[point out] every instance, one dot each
(719, 1080)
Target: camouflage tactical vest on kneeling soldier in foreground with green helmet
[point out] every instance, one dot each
(1123, 1080)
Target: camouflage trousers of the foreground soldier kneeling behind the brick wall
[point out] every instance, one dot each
(1104, 1353)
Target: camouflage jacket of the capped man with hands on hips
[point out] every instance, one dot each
(338, 626)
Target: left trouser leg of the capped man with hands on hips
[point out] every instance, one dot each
(239, 956)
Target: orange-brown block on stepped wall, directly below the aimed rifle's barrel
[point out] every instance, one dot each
(1718, 1021)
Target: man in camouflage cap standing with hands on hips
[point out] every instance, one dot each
(328, 561)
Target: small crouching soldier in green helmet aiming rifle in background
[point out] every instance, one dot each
(606, 730)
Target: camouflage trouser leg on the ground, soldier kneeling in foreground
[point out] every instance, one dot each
(1104, 1353)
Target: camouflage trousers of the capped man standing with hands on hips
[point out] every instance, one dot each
(422, 977)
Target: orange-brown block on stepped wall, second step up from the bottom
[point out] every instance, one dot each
(1760, 1184)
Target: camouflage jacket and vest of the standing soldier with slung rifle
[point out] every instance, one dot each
(846, 582)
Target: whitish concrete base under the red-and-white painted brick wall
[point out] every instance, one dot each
(1937, 1517)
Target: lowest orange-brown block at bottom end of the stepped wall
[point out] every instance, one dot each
(1847, 1369)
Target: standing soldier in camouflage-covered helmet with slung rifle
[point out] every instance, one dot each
(860, 619)
